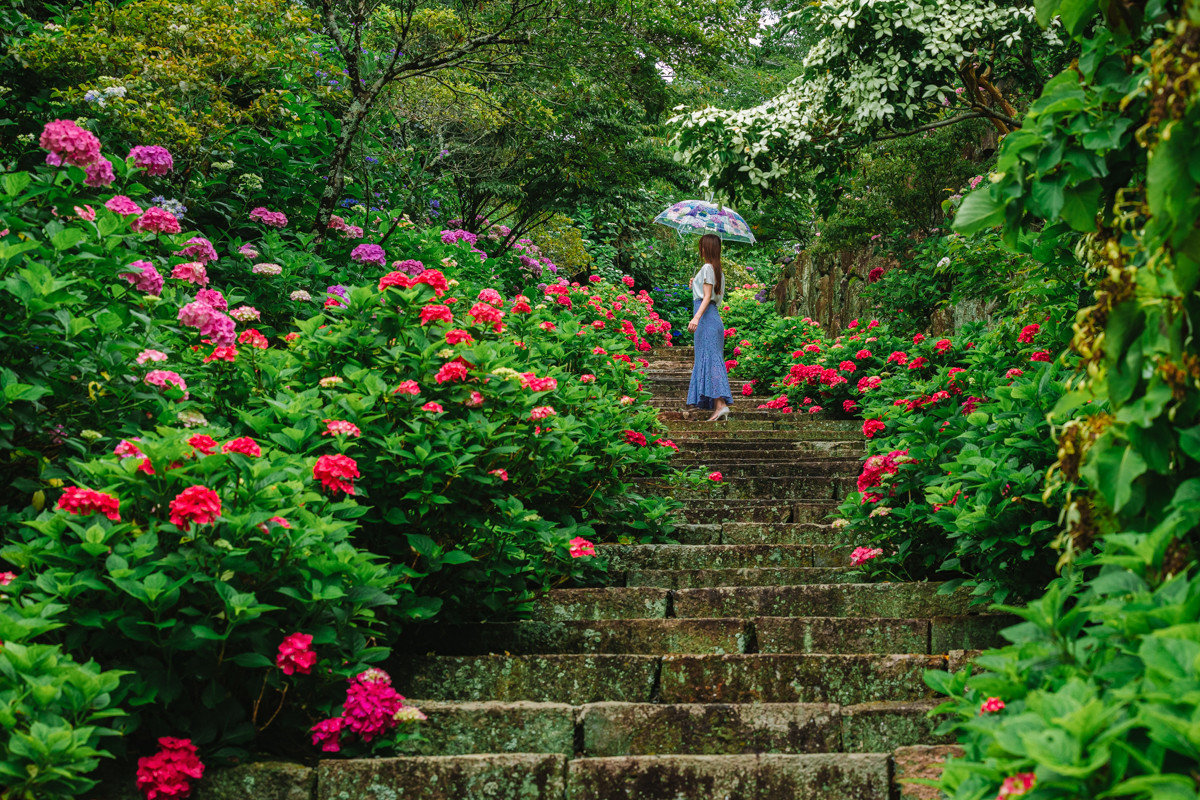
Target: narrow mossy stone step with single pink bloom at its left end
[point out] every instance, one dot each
(721, 557)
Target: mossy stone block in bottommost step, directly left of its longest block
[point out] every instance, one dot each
(452, 778)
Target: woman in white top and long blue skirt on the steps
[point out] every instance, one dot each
(710, 387)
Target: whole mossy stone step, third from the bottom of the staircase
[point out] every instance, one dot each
(847, 679)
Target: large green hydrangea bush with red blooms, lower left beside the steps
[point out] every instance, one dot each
(196, 612)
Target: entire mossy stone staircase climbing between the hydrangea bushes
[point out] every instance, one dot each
(742, 664)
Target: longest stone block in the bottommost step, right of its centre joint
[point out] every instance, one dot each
(817, 777)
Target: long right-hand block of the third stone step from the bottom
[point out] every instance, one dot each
(796, 678)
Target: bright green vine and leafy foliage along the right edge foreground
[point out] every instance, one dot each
(1101, 681)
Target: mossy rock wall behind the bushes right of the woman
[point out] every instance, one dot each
(827, 287)
